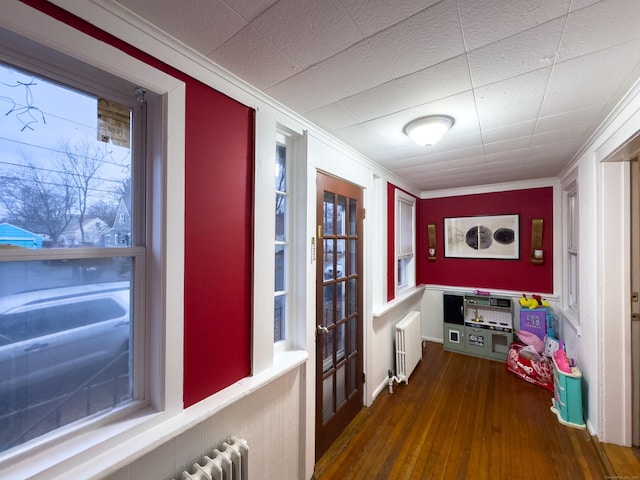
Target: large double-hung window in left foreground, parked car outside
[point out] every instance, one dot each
(72, 250)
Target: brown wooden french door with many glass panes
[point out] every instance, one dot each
(339, 336)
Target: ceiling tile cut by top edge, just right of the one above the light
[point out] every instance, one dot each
(487, 21)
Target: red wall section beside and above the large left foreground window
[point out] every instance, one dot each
(218, 226)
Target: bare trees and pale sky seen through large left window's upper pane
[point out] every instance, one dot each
(58, 180)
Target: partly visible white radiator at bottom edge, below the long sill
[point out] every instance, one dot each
(231, 462)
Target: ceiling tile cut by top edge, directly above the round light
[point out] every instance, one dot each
(420, 41)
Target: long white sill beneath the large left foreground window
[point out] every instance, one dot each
(103, 452)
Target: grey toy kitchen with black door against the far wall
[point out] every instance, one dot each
(478, 325)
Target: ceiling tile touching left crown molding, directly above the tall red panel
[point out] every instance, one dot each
(253, 59)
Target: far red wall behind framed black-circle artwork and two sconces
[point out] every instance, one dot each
(519, 275)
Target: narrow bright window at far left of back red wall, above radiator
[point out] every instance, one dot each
(405, 241)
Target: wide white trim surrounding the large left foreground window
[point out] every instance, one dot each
(77, 450)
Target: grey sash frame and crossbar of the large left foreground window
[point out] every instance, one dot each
(93, 81)
